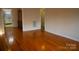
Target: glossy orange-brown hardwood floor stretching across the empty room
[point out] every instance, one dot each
(38, 41)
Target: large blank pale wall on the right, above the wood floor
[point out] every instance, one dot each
(64, 22)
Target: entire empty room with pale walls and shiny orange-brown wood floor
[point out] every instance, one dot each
(39, 29)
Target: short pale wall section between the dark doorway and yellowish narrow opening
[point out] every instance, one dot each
(29, 15)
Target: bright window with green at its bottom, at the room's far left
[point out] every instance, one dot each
(7, 13)
